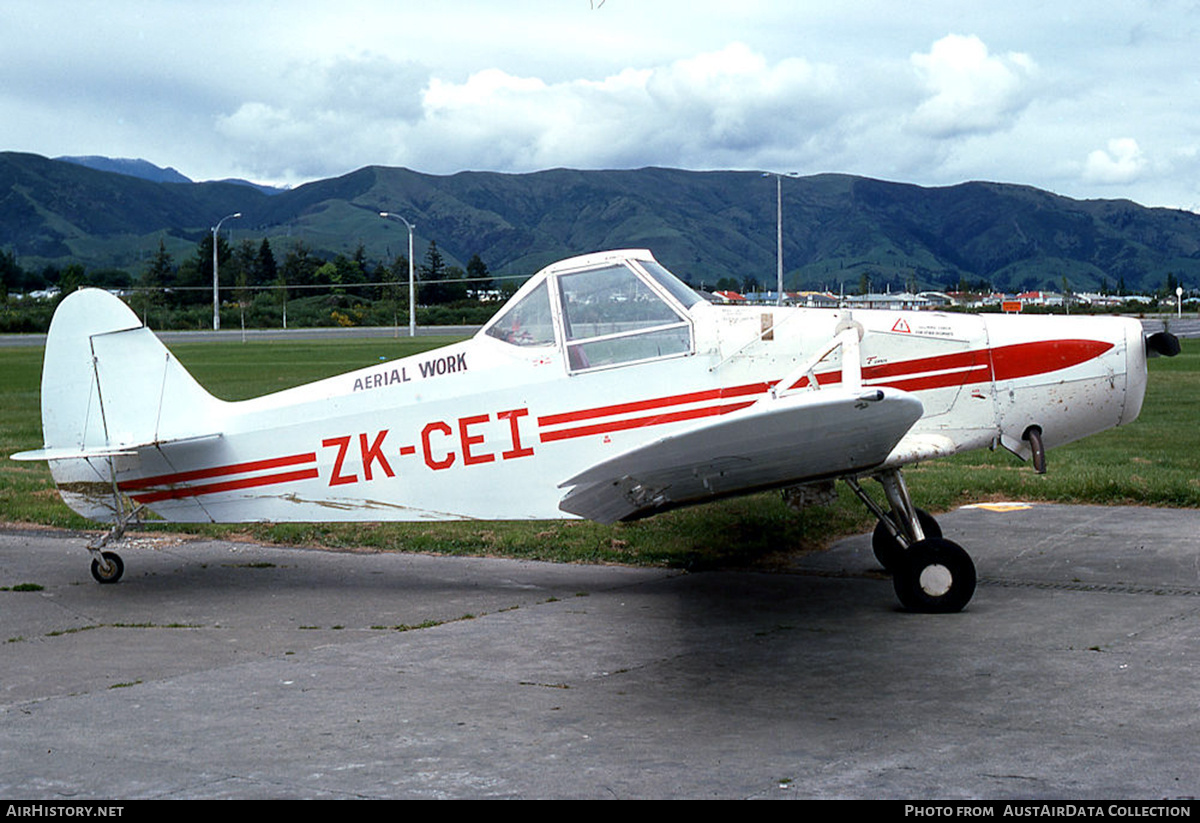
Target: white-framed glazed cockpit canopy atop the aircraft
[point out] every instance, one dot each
(605, 310)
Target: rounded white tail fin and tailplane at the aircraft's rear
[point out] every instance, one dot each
(110, 388)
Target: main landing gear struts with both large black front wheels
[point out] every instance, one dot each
(929, 574)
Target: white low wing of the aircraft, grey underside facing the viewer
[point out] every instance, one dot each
(777, 442)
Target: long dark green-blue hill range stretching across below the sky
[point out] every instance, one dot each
(705, 226)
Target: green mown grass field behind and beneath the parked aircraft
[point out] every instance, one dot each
(1156, 461)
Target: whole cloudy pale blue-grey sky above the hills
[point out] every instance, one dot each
(1091, 100)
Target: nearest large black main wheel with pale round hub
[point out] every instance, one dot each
(937, 578)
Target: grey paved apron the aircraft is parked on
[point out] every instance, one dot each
(223, 670)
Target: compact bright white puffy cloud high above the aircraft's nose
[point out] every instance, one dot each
(970, 91)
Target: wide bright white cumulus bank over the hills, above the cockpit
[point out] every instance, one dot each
(730, 104)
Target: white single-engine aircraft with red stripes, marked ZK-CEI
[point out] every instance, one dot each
(604, 389)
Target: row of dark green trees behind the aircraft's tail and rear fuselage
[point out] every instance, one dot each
(262, 289)
